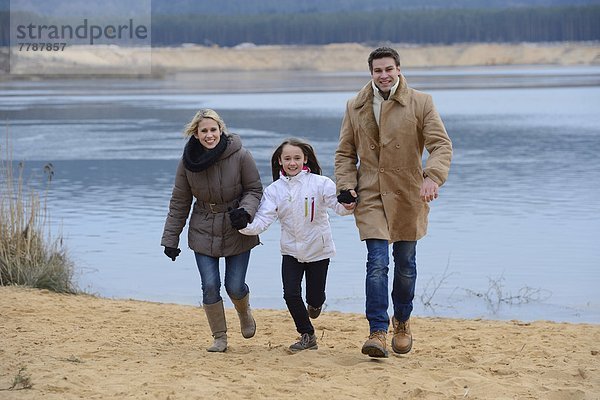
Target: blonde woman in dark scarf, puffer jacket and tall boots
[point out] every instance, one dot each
(222, 176)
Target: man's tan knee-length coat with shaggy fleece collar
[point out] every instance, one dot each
(384, 164)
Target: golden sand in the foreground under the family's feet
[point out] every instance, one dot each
(85, 347)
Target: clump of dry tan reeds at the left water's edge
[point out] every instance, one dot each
(30, 255)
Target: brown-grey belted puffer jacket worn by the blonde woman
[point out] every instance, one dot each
(231, 181)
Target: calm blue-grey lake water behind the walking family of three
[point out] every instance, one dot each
(514, 234)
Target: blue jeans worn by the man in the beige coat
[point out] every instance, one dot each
(405, 277)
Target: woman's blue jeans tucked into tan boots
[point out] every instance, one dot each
(235, 276)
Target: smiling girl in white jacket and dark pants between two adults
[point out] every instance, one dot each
(299, 196)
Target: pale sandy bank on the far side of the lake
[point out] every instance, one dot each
(163, 61)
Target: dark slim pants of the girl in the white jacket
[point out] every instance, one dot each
(292, 272)
